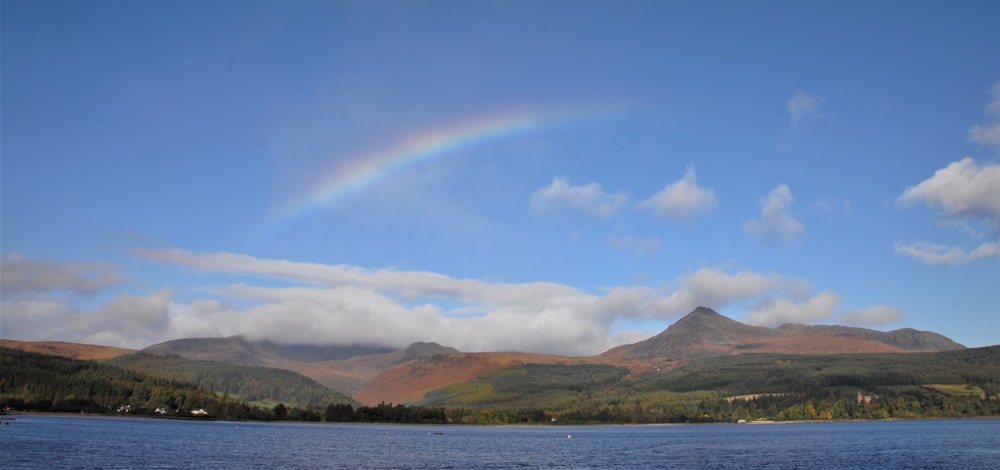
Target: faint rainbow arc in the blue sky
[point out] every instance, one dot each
(366, 170)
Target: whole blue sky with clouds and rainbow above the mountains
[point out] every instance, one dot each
(546, 176)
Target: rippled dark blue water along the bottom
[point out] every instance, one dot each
(84, 442)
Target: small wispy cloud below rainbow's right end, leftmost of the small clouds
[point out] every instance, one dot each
(588, 198)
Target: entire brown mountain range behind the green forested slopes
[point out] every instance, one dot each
(372, 374)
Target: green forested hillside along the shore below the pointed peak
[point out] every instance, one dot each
(961, 383)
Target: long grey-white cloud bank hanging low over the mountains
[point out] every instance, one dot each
(336, 304)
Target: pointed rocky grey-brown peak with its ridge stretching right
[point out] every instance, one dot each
(706, 333)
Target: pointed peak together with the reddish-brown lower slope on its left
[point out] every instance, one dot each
(703, 333)
